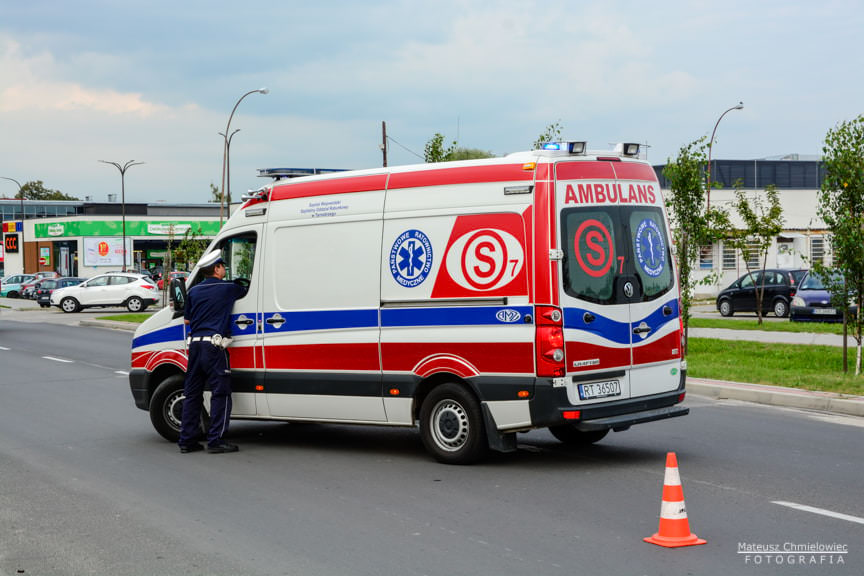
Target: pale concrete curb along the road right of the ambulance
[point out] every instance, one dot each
(778, 396)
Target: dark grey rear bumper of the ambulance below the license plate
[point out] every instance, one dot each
(549, 404)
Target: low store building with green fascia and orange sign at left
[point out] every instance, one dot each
(78, 238)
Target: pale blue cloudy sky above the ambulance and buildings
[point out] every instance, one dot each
(156, 82)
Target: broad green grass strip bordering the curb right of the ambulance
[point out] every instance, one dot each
(794, 366)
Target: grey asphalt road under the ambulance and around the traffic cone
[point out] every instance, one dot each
(87, 487)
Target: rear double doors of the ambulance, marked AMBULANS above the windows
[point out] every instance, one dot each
(617, 286)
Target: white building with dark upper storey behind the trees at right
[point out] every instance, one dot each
(804, 238)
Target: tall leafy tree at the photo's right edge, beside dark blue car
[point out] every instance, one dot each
(841, 206)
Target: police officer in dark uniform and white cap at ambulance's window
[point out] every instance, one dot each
(208, 314)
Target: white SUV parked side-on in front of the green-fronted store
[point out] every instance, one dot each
(134, 291)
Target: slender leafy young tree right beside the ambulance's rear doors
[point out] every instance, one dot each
(693, 225)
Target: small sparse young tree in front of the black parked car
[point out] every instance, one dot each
(762, 221)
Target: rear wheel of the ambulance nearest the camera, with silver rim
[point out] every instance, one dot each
(451, 425)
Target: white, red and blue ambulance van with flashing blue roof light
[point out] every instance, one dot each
(472, 299)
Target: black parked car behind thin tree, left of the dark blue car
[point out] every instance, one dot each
(780, 286)
